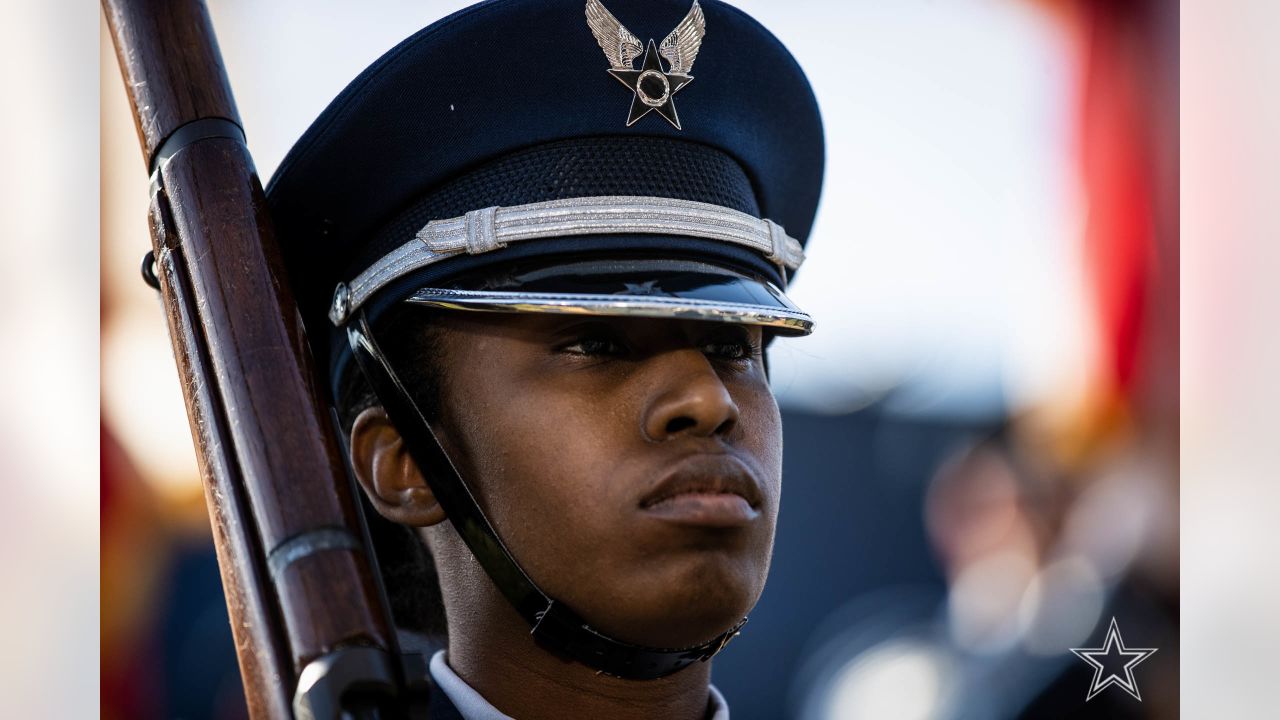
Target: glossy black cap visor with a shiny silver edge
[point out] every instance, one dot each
(627, 288)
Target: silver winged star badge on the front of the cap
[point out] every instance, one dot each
(653, 88)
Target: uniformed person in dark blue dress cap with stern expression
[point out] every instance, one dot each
(543, 295)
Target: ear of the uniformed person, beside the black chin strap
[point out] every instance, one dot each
(388, 476)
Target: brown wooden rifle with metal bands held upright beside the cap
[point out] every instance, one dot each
(308, 613)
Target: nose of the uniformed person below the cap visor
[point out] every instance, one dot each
(691, 399)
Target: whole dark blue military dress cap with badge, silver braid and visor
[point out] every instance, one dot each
(656, 158)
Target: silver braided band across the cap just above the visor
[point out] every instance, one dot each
(492, 229)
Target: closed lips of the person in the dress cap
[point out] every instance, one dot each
(706, 490)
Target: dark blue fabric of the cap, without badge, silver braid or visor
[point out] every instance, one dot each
(511, 102)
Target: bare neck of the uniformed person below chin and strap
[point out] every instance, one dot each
(500, 660)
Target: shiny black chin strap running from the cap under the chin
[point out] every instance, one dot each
(555, 627)
